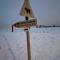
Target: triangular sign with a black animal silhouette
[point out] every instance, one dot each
(26, 10)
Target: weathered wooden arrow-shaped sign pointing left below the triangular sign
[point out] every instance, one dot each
(24, 24)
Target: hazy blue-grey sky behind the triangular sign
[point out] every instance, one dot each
(46, 11)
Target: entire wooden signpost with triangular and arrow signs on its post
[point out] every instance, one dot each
(27, 12)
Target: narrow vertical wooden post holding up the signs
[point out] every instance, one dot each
(28, 42)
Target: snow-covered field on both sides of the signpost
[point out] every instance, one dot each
(45, 44)
